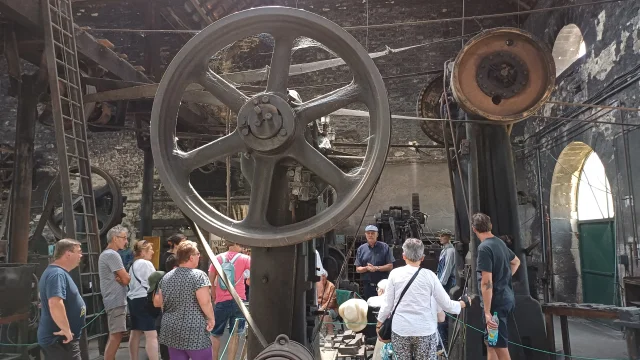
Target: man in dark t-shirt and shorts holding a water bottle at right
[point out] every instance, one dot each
(495, 267)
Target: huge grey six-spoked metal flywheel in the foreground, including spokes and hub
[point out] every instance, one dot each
(270, 127)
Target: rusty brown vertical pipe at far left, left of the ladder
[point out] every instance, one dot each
(23, 170)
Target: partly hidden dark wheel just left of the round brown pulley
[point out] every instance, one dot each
(429, 107)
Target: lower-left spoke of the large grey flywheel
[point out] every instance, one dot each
(220, 148)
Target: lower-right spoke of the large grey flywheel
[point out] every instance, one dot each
(313, 160)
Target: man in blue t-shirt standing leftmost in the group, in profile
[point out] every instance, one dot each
(63, 310)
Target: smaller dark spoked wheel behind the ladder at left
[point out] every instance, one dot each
(108, 197)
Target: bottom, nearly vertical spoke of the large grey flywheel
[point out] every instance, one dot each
(263, 169)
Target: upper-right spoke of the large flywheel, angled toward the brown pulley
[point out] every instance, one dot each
(328, 103)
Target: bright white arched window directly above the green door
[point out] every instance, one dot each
(594, 193)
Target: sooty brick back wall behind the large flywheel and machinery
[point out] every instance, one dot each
(422, 172)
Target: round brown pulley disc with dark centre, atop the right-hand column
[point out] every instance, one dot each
(503, 74)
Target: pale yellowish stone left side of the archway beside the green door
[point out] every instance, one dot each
(566, 279)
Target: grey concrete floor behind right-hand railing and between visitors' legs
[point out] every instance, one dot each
(588, 339)
